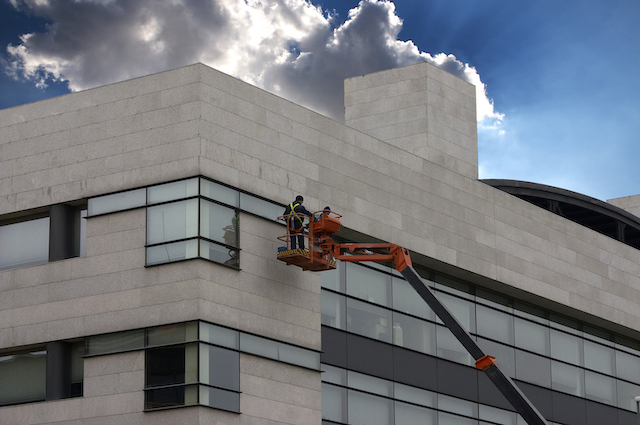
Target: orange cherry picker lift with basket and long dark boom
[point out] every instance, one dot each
(322, 255)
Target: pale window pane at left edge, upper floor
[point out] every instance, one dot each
(24, 244)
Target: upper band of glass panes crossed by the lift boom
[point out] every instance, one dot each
(531, 345)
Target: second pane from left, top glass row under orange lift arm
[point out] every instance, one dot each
(368, 284)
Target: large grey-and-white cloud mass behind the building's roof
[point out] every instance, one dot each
(289, 47)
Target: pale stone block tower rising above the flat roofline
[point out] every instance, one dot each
(421, 109)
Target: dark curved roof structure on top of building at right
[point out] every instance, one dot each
(589, 212)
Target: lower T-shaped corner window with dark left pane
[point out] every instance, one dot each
(196, 363)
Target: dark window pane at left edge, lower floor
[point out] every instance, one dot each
(23, 377)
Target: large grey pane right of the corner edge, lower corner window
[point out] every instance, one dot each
(219, 367)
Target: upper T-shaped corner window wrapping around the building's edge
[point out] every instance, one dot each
(190, 218)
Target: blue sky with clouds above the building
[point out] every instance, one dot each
(557, 81)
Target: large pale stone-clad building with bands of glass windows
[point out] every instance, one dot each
(140, 285)
